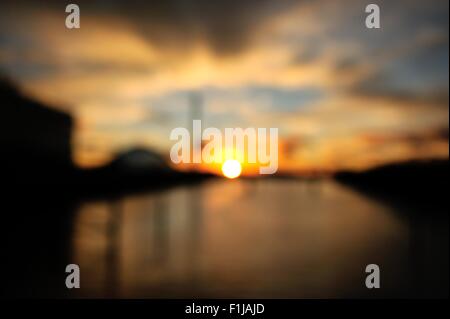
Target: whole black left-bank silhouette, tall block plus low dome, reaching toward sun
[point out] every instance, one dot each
(35, 143)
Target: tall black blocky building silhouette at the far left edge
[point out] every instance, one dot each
(34, 139)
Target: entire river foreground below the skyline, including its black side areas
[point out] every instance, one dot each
(267, 238)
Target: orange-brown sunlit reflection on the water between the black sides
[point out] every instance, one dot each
(240, 238)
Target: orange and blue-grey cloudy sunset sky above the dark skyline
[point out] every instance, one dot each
(343, 96)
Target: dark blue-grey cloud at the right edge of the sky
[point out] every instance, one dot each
(418, 73)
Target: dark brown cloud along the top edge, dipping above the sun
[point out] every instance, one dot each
(226, 26)
